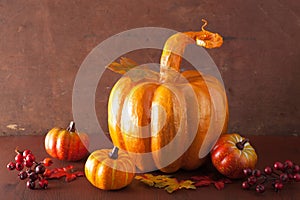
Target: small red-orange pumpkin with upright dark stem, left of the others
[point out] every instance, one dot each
(66, 144)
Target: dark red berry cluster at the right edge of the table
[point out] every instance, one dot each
(277, 175)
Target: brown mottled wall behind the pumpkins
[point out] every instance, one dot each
(43, 43)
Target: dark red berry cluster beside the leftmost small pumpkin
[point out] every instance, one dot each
(34, 170)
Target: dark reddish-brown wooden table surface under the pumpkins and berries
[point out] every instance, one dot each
(269, 149)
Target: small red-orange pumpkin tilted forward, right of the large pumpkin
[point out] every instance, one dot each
(231, 154)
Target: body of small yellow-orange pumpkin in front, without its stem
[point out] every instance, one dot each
(108, 173)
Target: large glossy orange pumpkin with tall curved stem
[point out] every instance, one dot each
(174, 117)
